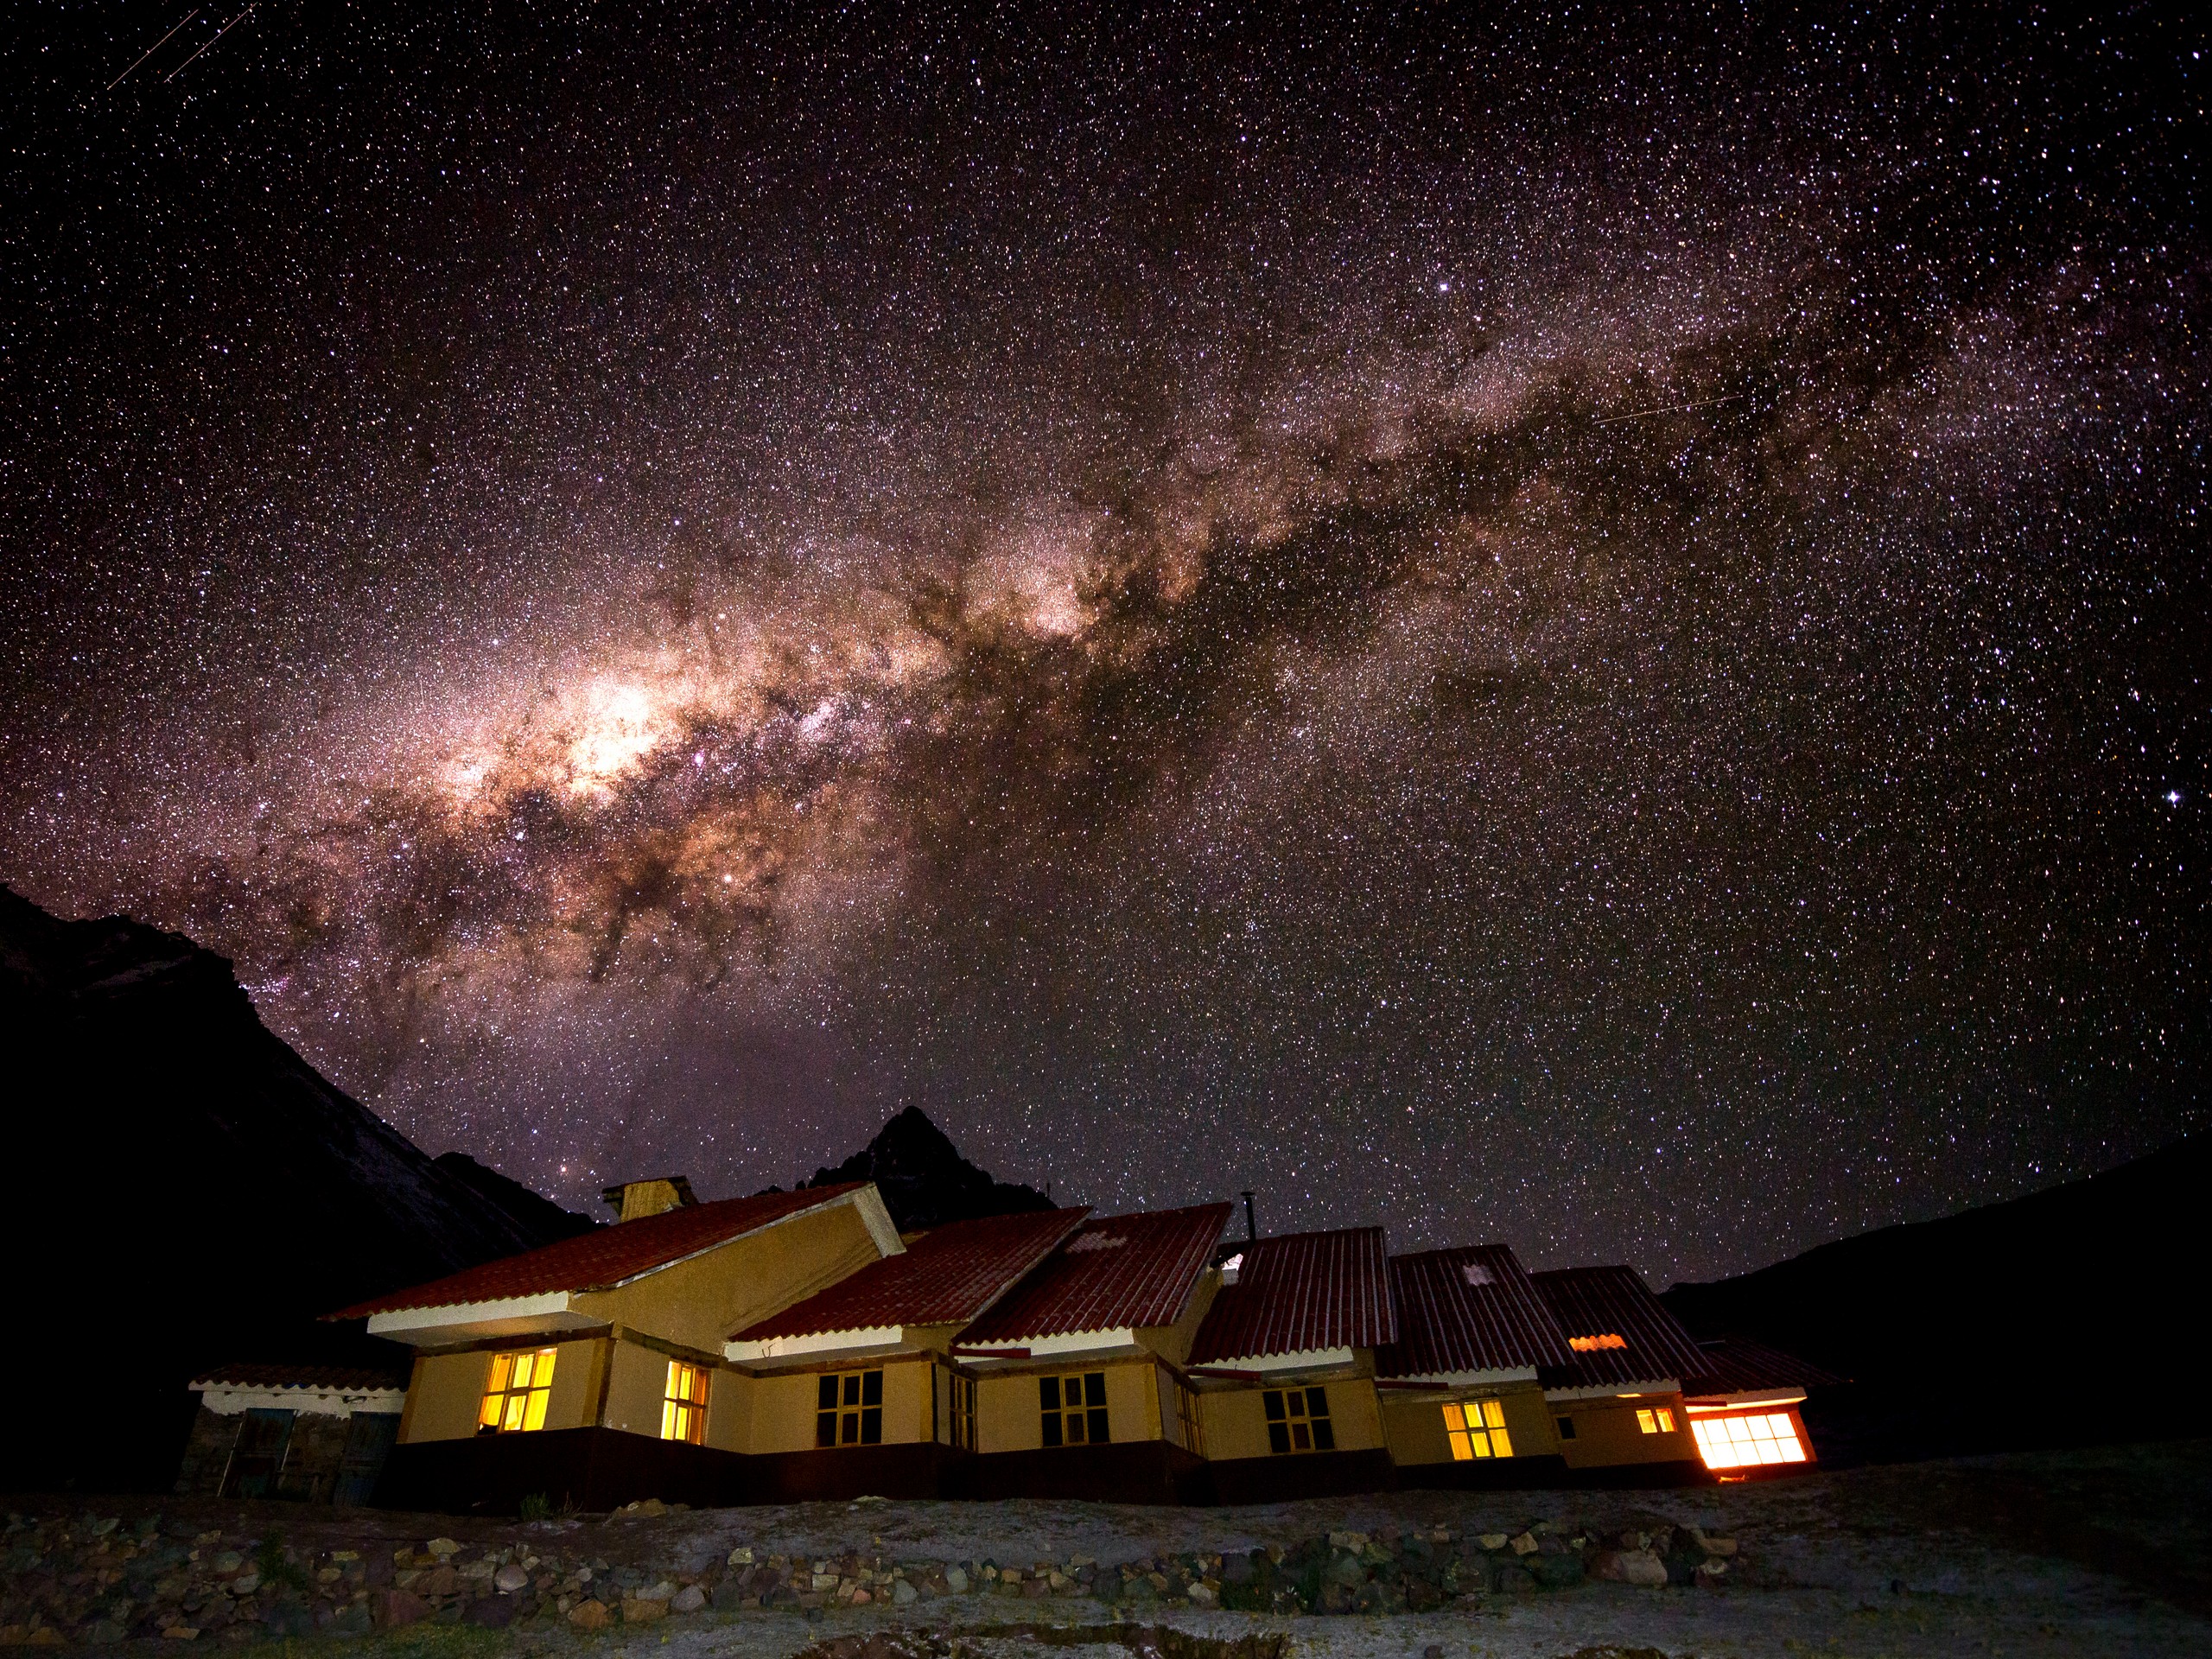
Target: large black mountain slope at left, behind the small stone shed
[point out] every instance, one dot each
(189, 1191)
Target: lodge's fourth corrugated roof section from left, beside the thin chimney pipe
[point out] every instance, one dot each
(1300, 1293)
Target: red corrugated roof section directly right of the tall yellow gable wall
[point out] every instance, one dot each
(946, 1277)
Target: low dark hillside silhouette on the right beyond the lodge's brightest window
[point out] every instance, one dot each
(1976, 1333)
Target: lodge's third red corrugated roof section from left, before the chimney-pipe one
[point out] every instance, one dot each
(1118, 1273)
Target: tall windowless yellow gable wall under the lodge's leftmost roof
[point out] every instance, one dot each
(705, 1300)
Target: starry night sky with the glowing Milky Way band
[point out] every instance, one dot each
(1538, 625)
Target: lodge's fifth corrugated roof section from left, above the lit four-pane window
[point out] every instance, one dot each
(1468, 1311)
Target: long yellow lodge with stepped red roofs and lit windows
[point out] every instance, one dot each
(795, 1346)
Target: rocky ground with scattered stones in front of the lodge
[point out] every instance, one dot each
(2052, 1554)
